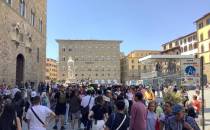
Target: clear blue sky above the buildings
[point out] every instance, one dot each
(140, 24)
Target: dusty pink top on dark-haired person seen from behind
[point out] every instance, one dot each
(138, 116)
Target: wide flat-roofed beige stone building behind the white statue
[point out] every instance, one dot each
(97, 61)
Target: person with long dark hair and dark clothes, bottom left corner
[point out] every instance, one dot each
(8, 118)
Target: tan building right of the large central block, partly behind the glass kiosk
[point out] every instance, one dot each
(131, 68)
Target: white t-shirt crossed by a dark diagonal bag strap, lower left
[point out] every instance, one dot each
(42, 112)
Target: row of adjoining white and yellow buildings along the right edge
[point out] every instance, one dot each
(196, 43)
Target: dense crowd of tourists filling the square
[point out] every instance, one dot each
(93, 107)
